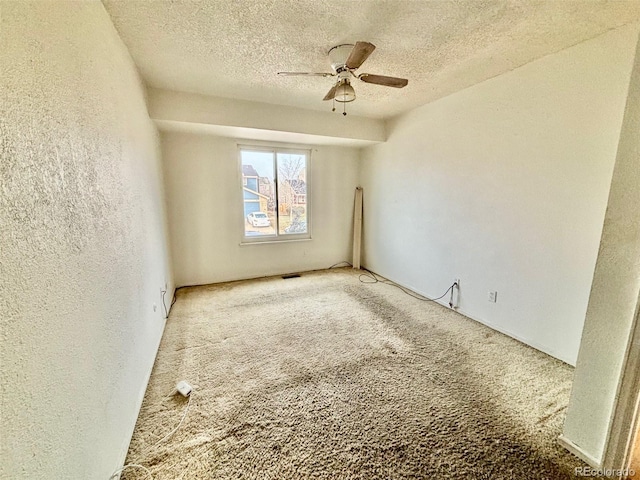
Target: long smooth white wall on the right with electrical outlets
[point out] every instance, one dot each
(505, 185)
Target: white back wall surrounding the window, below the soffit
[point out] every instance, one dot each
(206, 217)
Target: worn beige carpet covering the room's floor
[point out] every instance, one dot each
(323, 377)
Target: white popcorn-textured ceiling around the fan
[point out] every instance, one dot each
(235, 48)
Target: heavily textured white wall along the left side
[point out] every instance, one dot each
(82, 249)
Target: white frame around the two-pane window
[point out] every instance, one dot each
(276, 237)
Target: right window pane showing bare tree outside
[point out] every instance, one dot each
(292, 193)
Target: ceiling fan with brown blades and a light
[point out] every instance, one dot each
(345, 60)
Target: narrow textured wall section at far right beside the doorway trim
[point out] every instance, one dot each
(613, 302)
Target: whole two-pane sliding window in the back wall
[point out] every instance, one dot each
(275, 194)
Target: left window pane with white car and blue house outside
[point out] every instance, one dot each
(258, 189)
